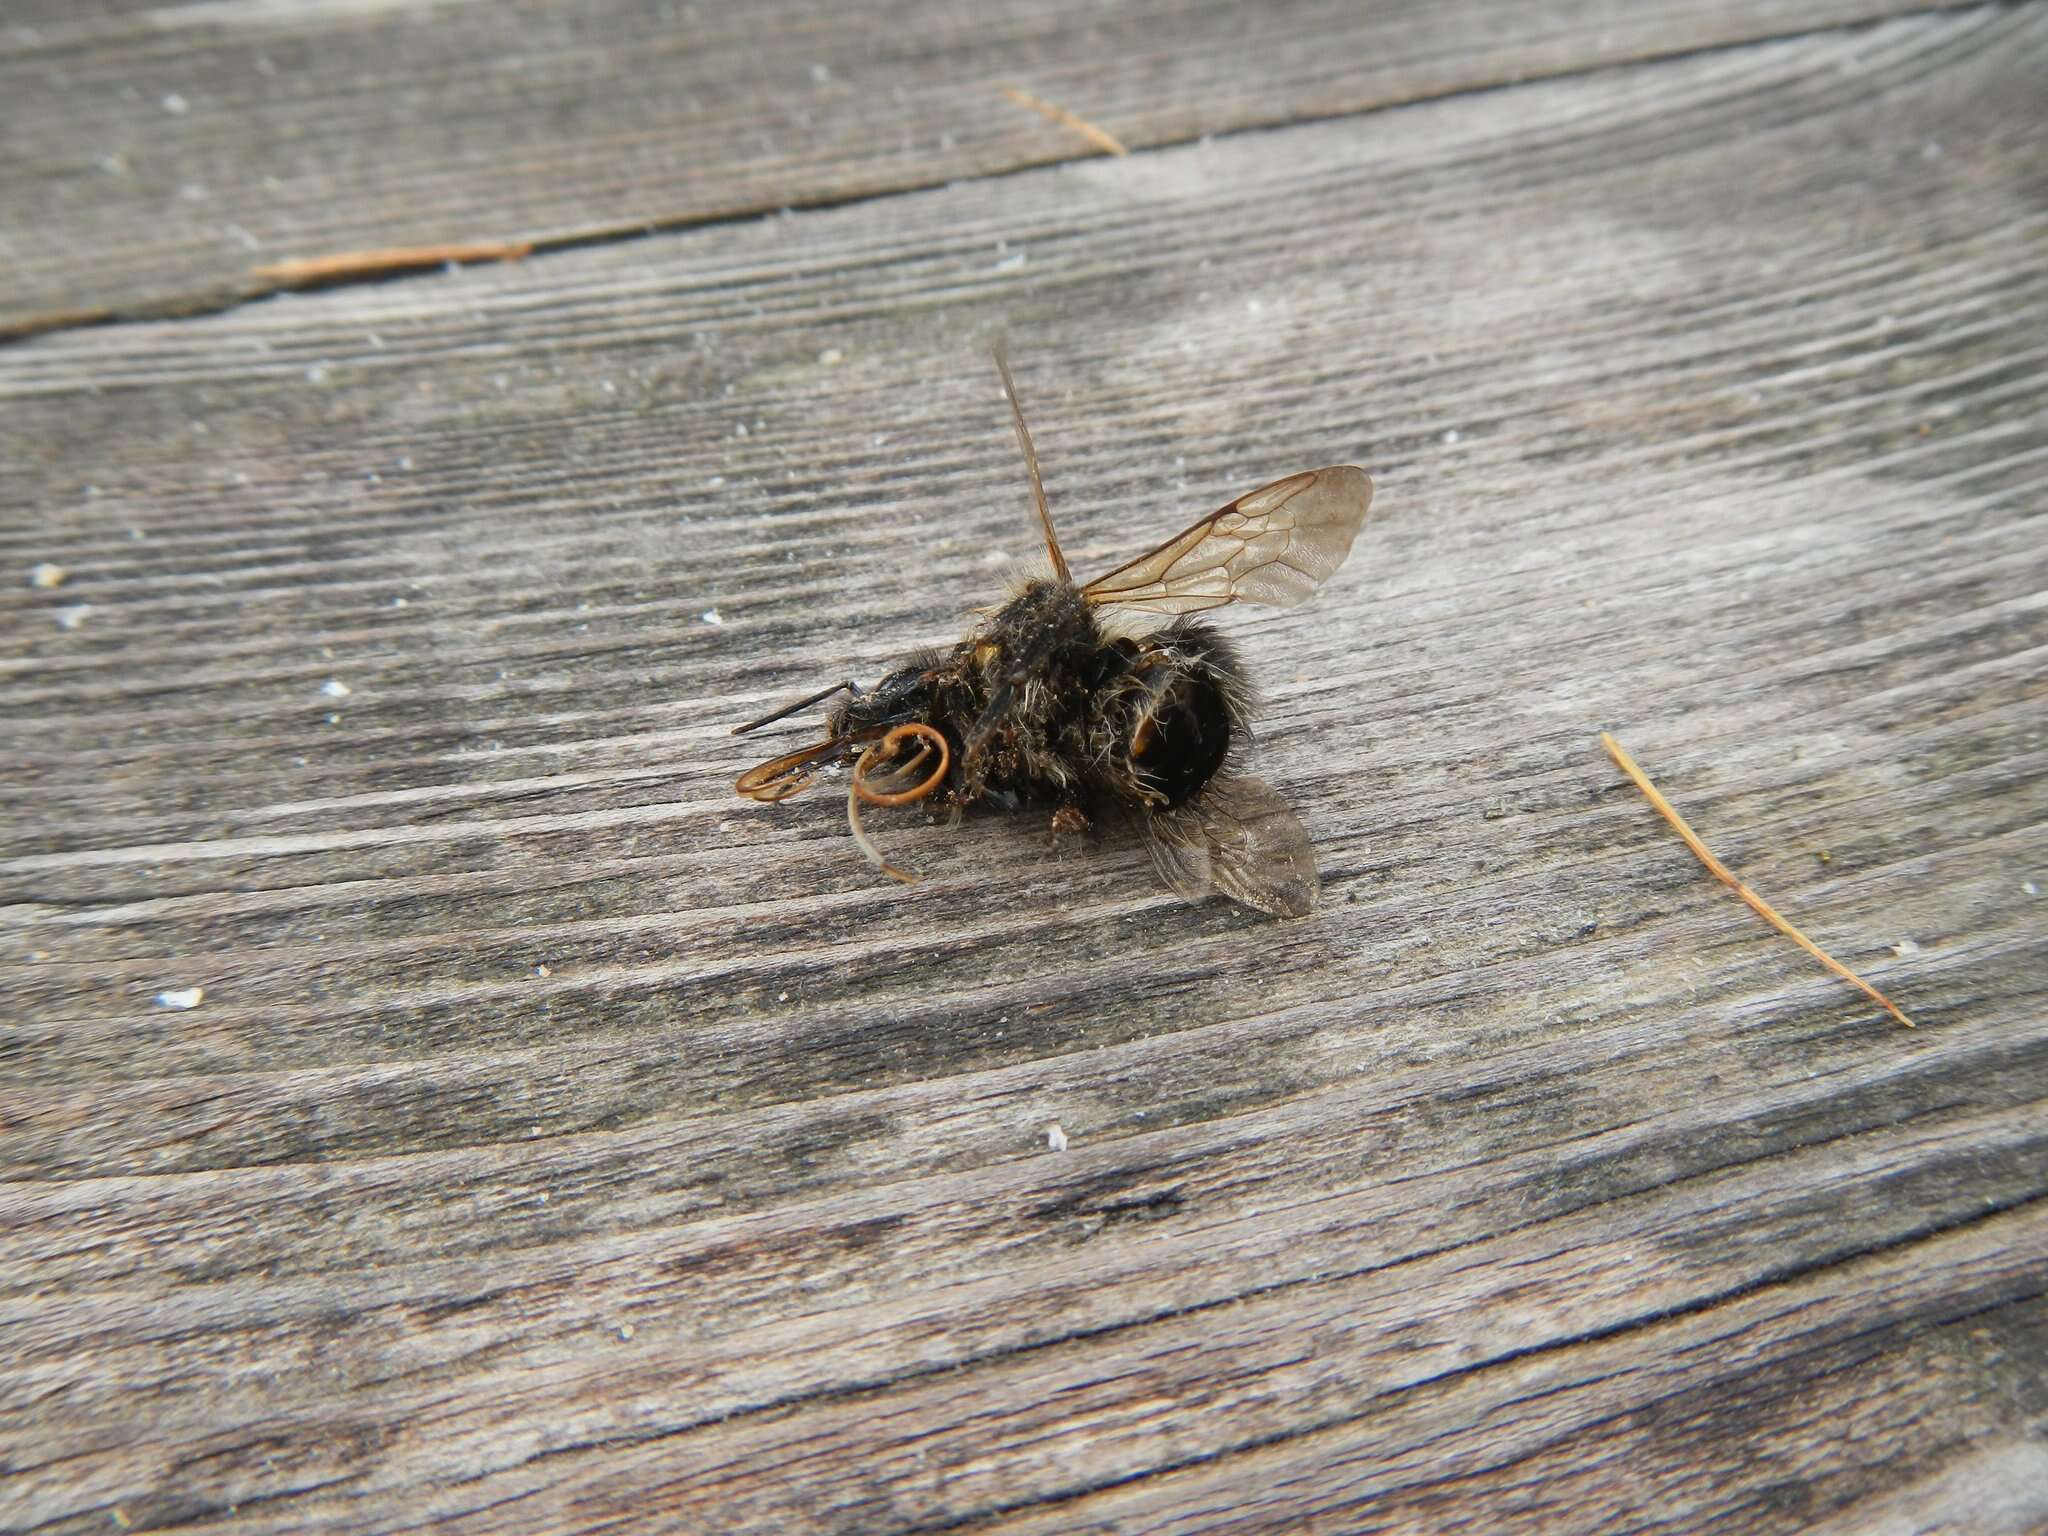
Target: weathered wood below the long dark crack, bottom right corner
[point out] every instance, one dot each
(1707, 1422)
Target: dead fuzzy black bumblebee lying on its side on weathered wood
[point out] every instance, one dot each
(1060, 699)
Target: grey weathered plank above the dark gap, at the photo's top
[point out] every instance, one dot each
(163, 155)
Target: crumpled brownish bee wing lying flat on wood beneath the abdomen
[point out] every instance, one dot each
(1238, 839)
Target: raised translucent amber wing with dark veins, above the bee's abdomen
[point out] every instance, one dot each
(1273, 546)
